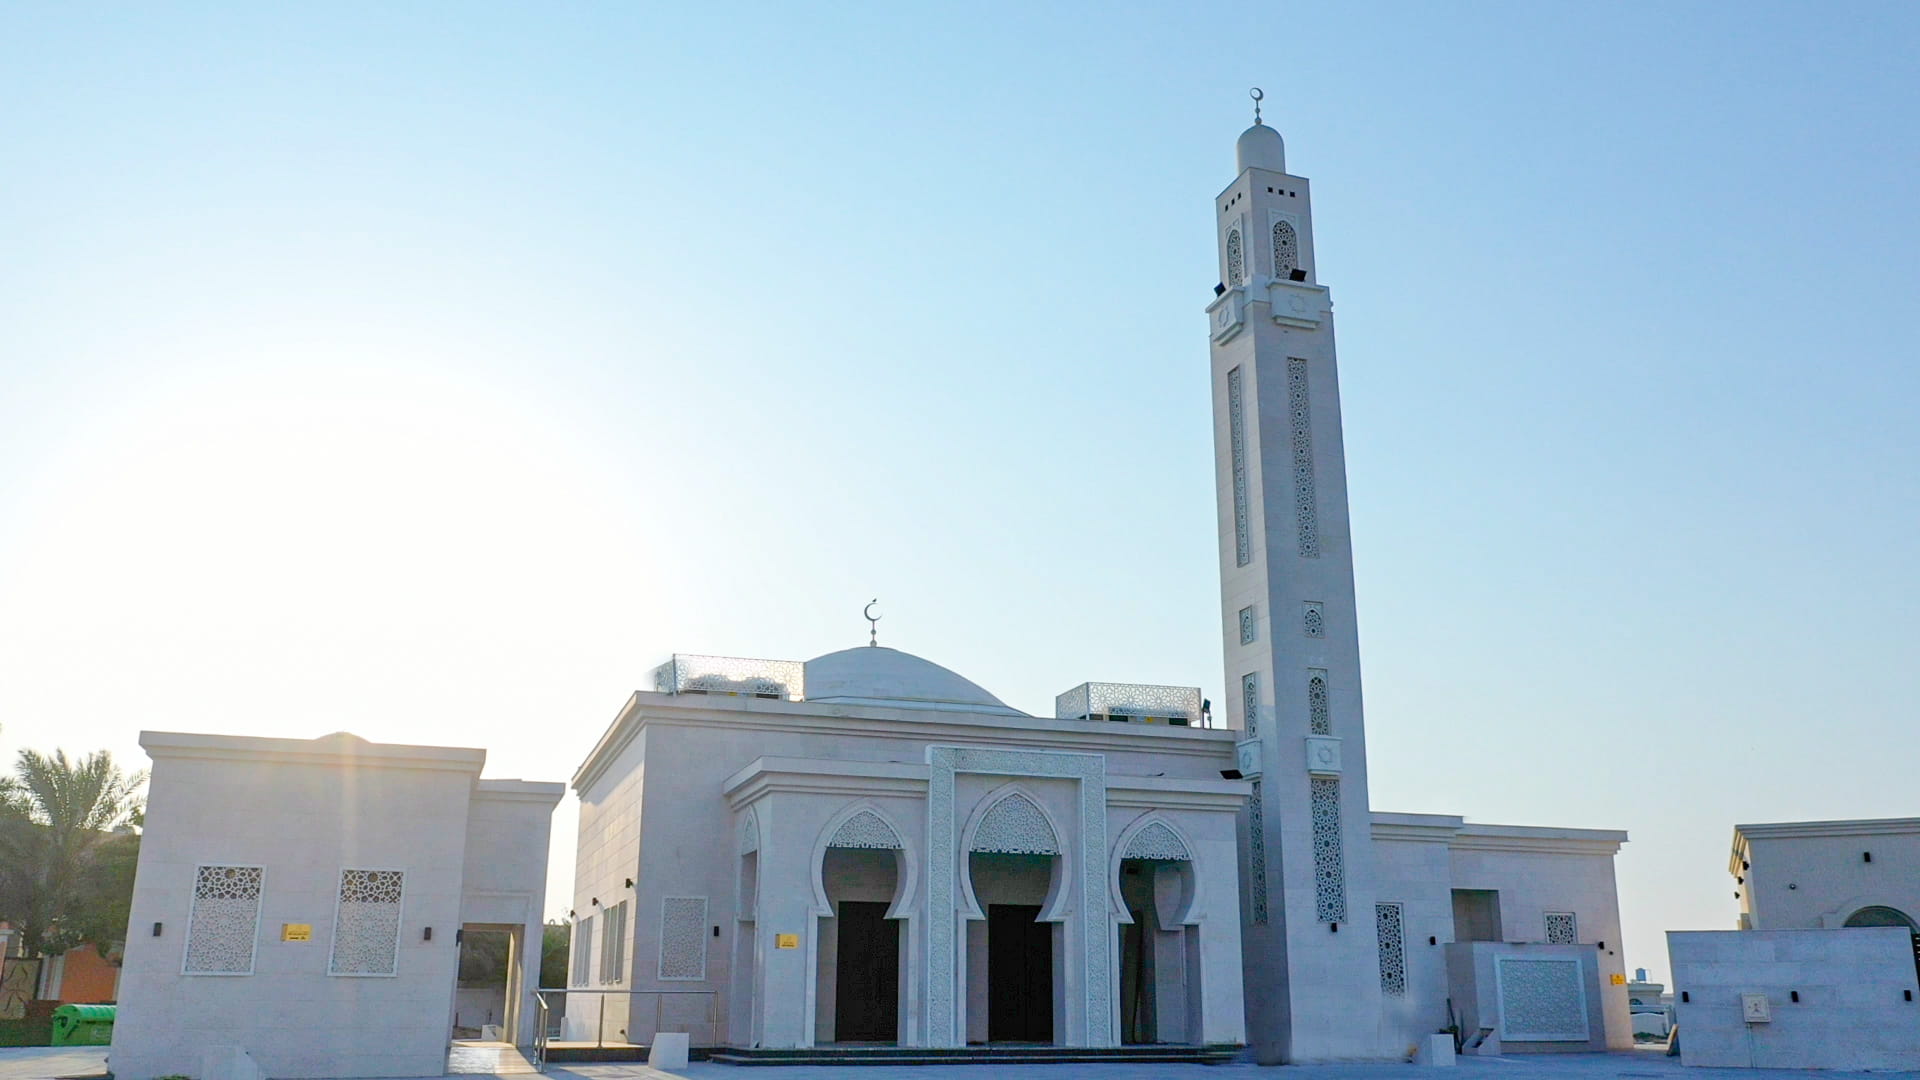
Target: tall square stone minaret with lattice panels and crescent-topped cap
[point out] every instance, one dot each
(1287, 612)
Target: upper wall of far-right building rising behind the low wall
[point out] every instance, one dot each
(1829, 877)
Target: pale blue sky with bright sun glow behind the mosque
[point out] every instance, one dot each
(433, 372)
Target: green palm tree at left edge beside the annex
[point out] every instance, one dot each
(68, 850)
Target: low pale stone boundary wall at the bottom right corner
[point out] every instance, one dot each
(1854, 1010)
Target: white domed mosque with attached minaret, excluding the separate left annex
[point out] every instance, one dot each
(869, 848)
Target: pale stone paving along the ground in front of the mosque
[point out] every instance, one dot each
(47, 1064)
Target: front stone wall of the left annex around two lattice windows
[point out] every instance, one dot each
(302, 823)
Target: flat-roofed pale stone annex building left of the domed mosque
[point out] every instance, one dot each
(383, 852)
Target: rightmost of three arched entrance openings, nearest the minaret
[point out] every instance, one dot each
(1159, 952)
